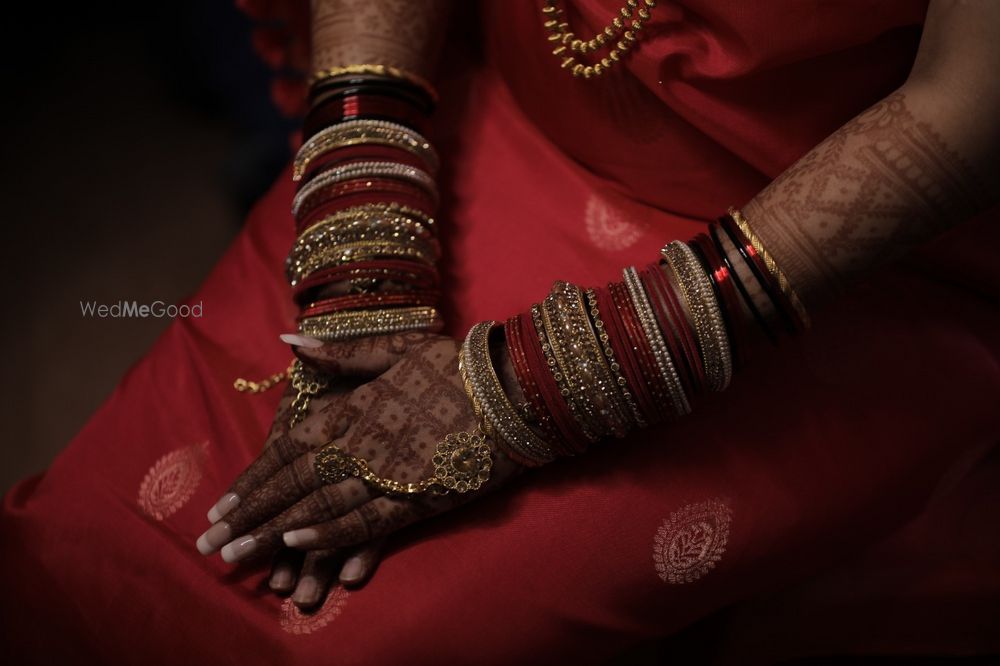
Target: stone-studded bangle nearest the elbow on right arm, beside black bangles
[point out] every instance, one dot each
(710, 330)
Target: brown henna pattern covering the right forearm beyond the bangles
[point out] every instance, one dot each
(881, 184)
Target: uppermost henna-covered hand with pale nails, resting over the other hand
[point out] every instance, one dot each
(394, 422)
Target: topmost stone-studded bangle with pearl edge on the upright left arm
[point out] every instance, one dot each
(364, 131)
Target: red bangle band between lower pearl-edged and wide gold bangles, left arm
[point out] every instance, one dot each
(356, 192)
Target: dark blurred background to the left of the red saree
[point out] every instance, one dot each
(136, 136)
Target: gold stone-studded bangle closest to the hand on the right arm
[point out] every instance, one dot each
(500, 418)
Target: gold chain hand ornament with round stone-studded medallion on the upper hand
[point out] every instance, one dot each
(462, 462)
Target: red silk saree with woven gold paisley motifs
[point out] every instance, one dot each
(840, 498)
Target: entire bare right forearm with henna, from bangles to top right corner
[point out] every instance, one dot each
(913, 165)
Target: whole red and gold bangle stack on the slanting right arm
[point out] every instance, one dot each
(597, 363)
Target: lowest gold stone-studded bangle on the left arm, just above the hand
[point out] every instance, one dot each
(352, 324)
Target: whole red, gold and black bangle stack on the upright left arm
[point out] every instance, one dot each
(365, 258)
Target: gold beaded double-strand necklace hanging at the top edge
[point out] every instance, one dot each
(623, 27)
